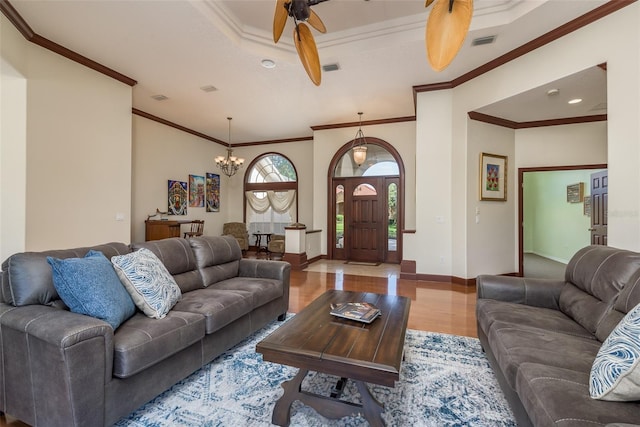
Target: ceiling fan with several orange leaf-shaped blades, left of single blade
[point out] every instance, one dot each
(300, 11)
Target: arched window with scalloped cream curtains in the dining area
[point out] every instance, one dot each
(271, 188)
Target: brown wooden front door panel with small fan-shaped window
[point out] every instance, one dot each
(365, 231)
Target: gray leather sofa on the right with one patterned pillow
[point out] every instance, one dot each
(542, 336)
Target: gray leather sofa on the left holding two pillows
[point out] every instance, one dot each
(60, 368)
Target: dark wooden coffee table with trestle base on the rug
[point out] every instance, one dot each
(313, 340)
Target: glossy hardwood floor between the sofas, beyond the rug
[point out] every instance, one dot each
(438, 307)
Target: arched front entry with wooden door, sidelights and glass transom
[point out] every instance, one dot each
(366, 204)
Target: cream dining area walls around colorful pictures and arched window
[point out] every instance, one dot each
(161, 153)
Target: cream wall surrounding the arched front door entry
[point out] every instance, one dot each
(327, 142)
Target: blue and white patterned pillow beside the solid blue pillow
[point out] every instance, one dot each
(153, 289)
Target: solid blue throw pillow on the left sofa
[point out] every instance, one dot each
(91, 286)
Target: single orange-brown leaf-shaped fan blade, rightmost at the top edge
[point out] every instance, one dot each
(446, 31)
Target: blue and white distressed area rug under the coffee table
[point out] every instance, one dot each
(445, 380)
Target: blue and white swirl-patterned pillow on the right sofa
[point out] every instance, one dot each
(615, 374)
